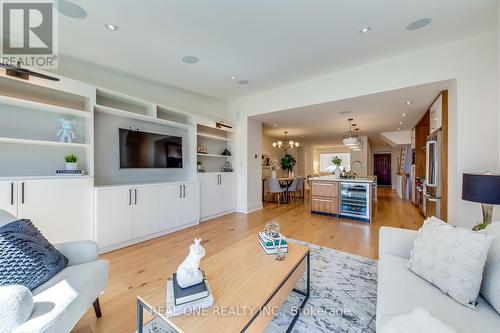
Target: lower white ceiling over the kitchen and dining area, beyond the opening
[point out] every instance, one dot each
(324, 125)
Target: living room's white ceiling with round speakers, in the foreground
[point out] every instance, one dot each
(270, 43)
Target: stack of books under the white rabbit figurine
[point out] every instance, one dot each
(188, 300)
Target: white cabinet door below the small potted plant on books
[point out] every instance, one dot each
(60, 208)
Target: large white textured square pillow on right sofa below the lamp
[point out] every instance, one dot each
(451, 258)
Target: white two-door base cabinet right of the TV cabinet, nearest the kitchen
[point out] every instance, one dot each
(218, 194)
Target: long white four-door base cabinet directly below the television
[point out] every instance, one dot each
(133, 213)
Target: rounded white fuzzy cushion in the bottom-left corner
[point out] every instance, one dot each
(16, 305)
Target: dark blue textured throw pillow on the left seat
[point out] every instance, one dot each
(26, 257)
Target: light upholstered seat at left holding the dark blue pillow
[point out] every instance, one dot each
(58, 304)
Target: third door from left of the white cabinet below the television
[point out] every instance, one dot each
(170, 206)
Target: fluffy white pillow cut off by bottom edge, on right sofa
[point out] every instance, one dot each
(417, 321)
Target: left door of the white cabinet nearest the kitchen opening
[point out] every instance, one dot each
(209, 194)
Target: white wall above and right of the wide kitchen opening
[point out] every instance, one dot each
(473, 103)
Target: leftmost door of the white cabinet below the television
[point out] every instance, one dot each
(113, 216)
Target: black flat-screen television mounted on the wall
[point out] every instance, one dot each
(149, 150)
